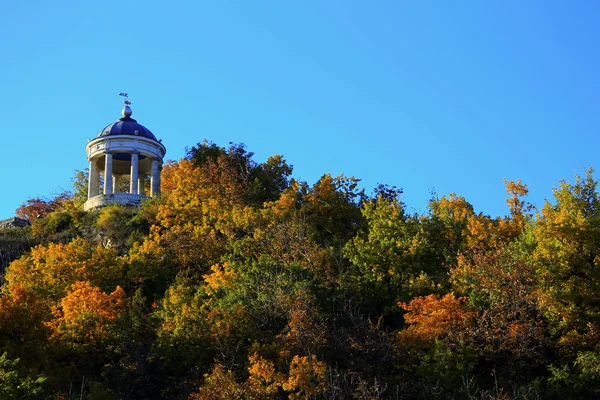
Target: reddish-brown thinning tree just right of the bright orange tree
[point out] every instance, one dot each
(508, 331)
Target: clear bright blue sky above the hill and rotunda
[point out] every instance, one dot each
(444, 96)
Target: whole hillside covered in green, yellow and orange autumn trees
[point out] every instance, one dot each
(240, 282)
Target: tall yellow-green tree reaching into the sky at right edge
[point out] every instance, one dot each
(568, 237)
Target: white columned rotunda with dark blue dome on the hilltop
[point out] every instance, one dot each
(124, 158)
